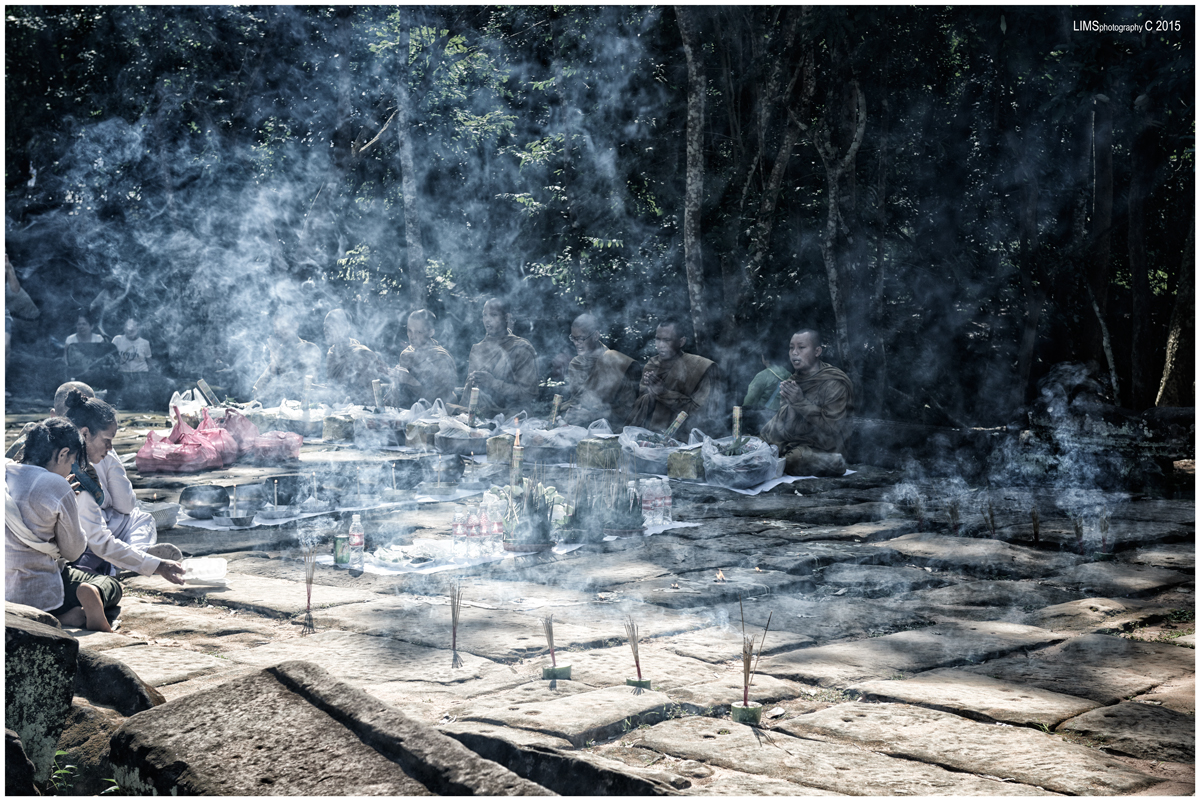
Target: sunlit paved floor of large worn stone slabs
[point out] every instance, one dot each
(904, 657)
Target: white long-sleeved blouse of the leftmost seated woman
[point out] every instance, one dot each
(46, 509)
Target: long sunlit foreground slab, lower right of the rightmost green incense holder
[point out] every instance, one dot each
(1018, 754)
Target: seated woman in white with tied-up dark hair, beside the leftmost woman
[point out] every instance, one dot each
(119, 534)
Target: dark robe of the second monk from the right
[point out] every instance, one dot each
(692, 384)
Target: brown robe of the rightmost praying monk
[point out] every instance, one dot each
(811, 433)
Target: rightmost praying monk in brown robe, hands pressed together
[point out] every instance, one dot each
(812, 420)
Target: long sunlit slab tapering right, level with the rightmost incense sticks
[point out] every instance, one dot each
(944, 646)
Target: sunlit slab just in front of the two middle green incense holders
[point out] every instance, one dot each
(583, 718)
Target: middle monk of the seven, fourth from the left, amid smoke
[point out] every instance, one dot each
(503, 366)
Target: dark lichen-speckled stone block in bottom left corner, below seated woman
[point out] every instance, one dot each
(39, 671)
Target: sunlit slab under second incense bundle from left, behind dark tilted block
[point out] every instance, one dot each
(364, 660)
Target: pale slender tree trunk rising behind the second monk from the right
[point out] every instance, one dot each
(694, 192)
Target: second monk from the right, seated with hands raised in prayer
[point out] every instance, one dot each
(675, 382)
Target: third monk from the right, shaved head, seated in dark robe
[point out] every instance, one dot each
(602, 383)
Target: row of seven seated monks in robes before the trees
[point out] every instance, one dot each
(808, 408)
